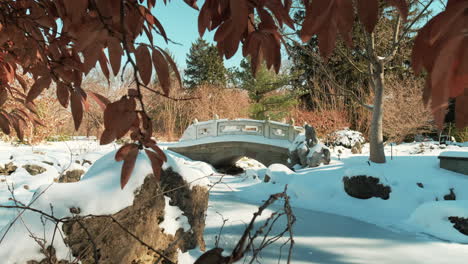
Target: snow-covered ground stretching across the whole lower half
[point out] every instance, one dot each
(332, 227)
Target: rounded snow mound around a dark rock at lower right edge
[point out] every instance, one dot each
(432, 218)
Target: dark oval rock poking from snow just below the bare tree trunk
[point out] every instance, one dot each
(365, 187)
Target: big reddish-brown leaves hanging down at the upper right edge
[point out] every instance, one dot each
(441, 48)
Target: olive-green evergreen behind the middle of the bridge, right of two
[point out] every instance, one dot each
(267, 92)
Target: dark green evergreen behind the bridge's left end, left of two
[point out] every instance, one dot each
(204, 65)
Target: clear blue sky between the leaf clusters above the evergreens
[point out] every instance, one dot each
(181, 24)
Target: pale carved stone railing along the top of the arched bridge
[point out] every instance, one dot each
(223, 127)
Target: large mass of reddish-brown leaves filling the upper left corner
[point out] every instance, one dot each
(59, 42)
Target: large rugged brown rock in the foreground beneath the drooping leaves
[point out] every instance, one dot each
(115, 245)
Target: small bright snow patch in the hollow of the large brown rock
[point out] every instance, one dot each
(173, 219)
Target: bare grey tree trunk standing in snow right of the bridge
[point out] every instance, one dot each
(377, 153)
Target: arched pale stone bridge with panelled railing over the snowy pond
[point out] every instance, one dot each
(222, 142)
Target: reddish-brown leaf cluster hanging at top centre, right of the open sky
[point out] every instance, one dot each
(235, 23)
